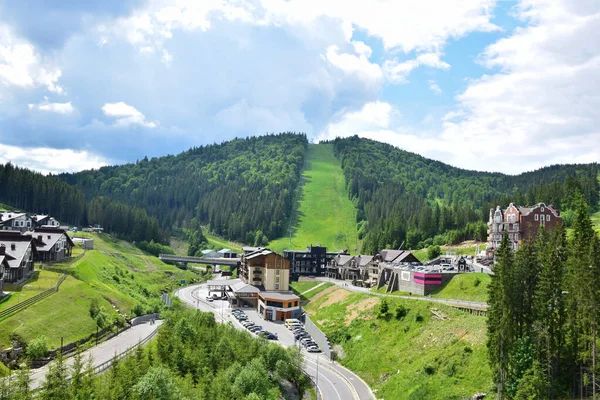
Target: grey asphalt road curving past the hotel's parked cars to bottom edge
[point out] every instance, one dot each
(334, 381)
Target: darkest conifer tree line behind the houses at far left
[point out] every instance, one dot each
(30, 191)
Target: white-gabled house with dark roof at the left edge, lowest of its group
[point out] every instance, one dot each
(19, 251)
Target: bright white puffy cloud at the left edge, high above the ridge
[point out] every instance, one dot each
(22, 66)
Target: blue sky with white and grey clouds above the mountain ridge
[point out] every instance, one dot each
(490, 85)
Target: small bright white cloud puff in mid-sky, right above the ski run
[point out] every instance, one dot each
(355, 64)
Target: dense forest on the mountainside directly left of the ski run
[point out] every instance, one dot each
(242, 189)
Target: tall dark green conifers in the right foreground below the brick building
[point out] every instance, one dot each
(543, 314)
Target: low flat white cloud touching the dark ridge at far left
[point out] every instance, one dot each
(48, 160)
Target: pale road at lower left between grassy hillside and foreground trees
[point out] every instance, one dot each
(105, 351)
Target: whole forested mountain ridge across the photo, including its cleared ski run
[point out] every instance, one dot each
(246, 190)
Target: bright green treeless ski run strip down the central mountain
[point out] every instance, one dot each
(325, 214)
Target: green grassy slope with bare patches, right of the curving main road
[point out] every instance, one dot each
(416, 357)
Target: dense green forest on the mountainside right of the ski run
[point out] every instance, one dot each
(402, 197)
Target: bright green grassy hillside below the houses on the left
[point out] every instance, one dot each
(115, 273)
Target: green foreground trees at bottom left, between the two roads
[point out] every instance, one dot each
(193, 357)
